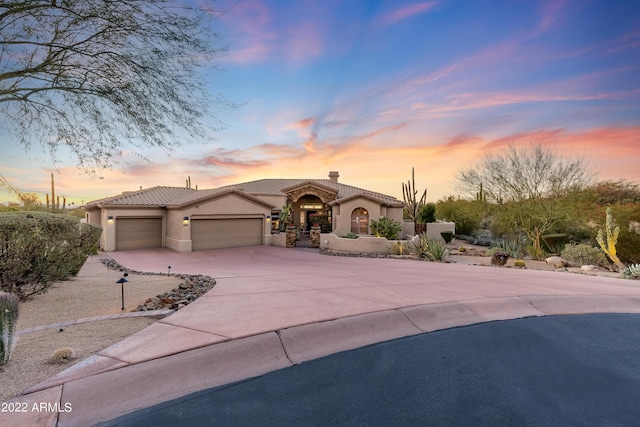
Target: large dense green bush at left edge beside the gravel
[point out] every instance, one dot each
(38, 248)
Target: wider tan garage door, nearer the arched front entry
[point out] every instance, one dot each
(225, 233)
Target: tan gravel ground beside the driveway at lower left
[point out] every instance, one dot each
(93, 292)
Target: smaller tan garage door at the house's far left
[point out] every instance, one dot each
(138, 233)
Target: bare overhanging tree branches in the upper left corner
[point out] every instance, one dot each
(90, 75)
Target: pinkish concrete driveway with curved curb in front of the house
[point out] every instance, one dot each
(275, 307)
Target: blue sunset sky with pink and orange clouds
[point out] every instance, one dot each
(373, 88)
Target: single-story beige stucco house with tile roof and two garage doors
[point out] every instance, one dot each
(245, 214)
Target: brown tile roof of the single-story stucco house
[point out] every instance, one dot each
(180, 196)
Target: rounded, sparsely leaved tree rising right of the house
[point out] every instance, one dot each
(528, 184)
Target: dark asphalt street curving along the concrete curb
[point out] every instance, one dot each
(569, 370)
